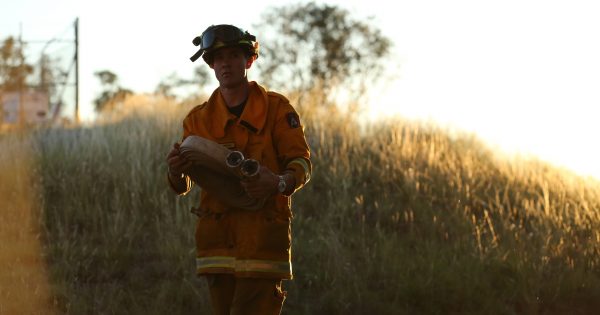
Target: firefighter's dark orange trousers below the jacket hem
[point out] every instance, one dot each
(245, 296)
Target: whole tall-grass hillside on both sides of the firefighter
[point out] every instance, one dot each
(399, 218)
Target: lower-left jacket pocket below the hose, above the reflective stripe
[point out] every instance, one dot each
(212, 231)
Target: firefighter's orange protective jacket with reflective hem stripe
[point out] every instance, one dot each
(243, 242)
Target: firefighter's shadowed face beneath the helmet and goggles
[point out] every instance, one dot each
(230, 64)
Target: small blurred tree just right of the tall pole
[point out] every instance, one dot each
(112, 95)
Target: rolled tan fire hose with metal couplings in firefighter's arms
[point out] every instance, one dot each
(219, 170)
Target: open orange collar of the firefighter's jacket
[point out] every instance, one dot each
(253, 118)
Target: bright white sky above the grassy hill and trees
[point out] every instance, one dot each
(523, 75)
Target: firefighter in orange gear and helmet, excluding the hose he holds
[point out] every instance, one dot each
(244, 254)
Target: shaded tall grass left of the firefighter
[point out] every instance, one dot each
(119, 242)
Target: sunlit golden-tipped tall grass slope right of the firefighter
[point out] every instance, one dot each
(410, 219)
